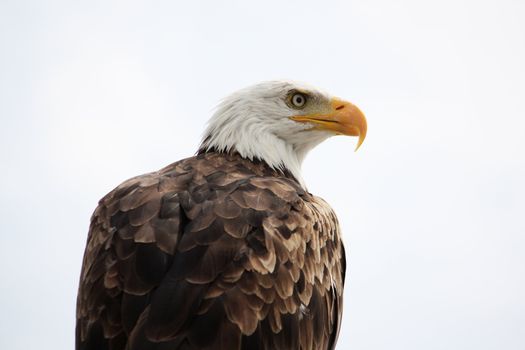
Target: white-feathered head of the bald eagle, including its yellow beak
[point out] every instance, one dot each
(278, 122)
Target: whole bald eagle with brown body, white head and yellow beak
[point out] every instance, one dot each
(227, 249)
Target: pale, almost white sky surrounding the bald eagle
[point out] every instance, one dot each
(432, 206)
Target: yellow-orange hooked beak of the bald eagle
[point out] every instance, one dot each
(343, 119)
